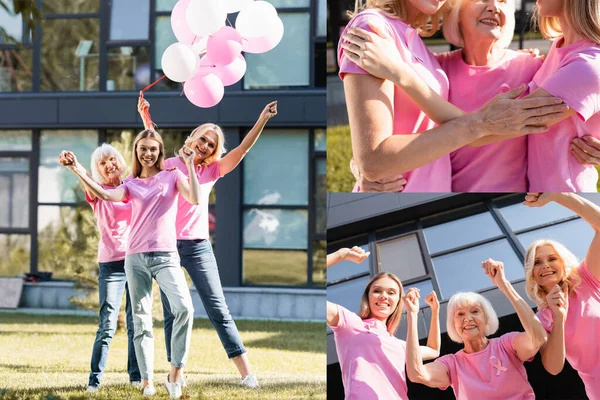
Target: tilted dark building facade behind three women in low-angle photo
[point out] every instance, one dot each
(437, 242)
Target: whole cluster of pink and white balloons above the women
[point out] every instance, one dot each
(208, 55)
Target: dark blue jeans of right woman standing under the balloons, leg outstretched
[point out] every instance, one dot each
(199, 261)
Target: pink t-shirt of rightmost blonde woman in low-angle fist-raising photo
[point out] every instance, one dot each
(582, 328)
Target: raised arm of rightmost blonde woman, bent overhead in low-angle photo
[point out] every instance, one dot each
(587, 210)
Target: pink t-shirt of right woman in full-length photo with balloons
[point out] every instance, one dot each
(192, 221)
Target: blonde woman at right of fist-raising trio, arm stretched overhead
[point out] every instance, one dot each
(568, 295)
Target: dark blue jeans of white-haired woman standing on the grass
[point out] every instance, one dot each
(111, 284)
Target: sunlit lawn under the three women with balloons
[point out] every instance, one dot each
(47, 357)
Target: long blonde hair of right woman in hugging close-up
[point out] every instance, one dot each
(583, 16)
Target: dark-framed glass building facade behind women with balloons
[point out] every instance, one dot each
(73, 84)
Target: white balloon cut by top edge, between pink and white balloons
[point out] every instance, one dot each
(205, 17)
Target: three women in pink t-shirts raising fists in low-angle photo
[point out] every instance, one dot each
(373, 360)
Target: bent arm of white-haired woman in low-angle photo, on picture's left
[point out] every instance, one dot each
(433, 374)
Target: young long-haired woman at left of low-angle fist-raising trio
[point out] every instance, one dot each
(371, 358)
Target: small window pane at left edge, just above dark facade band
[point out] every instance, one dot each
(15, 70)
